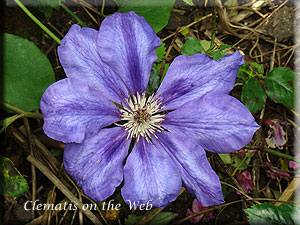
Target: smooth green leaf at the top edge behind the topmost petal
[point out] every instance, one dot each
(156, 12)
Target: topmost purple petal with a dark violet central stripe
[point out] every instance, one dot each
(127, 44)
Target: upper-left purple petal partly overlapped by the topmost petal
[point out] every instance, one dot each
(79, 56)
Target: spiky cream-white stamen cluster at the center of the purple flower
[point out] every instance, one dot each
(141, 116)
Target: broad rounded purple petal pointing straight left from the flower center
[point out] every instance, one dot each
(73, 109)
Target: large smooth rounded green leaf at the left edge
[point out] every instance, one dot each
(27, 73)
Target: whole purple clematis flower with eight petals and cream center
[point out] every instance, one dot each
(107, 75)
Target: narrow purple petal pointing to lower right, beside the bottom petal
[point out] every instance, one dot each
(196, 172)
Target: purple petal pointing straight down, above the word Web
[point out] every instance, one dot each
(150, 175)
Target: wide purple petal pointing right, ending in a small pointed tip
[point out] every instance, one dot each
(218, 121)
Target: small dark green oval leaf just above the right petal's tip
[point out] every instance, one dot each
(253, 95)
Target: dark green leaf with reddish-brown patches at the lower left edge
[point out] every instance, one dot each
(12, 182)
